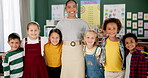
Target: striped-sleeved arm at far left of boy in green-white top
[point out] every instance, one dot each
(6, 67)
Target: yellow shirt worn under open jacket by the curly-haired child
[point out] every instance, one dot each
(113, 57)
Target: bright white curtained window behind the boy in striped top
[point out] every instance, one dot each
(9, 21)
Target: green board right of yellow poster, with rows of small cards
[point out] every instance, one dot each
(136, 15)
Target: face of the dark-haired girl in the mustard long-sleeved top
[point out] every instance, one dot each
(54, 38)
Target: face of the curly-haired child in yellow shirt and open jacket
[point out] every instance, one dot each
(111, 29)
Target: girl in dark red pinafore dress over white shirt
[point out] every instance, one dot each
(34, 64)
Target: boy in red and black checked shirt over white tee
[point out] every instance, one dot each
(136, 66)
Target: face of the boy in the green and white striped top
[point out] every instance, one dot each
(14, 44)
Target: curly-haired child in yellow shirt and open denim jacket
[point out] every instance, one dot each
(113, 56)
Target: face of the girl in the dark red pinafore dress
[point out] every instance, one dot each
(33, 32)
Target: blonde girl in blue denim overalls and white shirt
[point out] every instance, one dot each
(92, 55)
